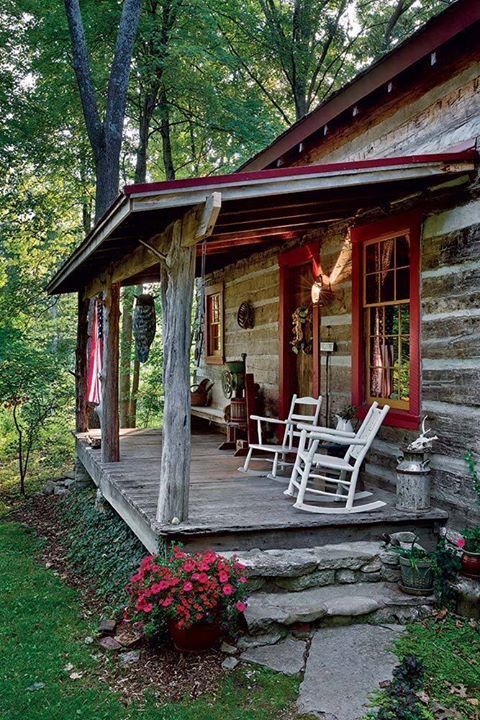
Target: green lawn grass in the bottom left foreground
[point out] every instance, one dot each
(42, 632)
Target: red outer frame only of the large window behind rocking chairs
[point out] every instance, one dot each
(410, 224)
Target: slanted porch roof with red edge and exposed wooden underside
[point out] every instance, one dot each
(257, 208)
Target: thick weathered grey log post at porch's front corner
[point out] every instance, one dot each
(177, 275)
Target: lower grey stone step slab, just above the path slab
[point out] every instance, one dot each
(269, 609)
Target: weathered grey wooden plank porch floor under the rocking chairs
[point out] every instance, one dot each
(229, 510)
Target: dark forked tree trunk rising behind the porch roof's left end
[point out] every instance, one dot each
(105, 135)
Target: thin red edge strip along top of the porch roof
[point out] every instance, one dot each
(469, 153)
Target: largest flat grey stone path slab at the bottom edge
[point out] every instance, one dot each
(345, 665)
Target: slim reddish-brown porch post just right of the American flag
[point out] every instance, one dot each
(110, 420)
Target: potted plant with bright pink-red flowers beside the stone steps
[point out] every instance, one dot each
(192, 596)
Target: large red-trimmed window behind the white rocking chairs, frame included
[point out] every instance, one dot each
(385, 318)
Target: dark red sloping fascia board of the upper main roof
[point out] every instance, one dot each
(442, 28)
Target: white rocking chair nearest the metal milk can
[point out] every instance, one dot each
(310, 464)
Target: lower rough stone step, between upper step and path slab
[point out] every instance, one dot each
(331, 605)
